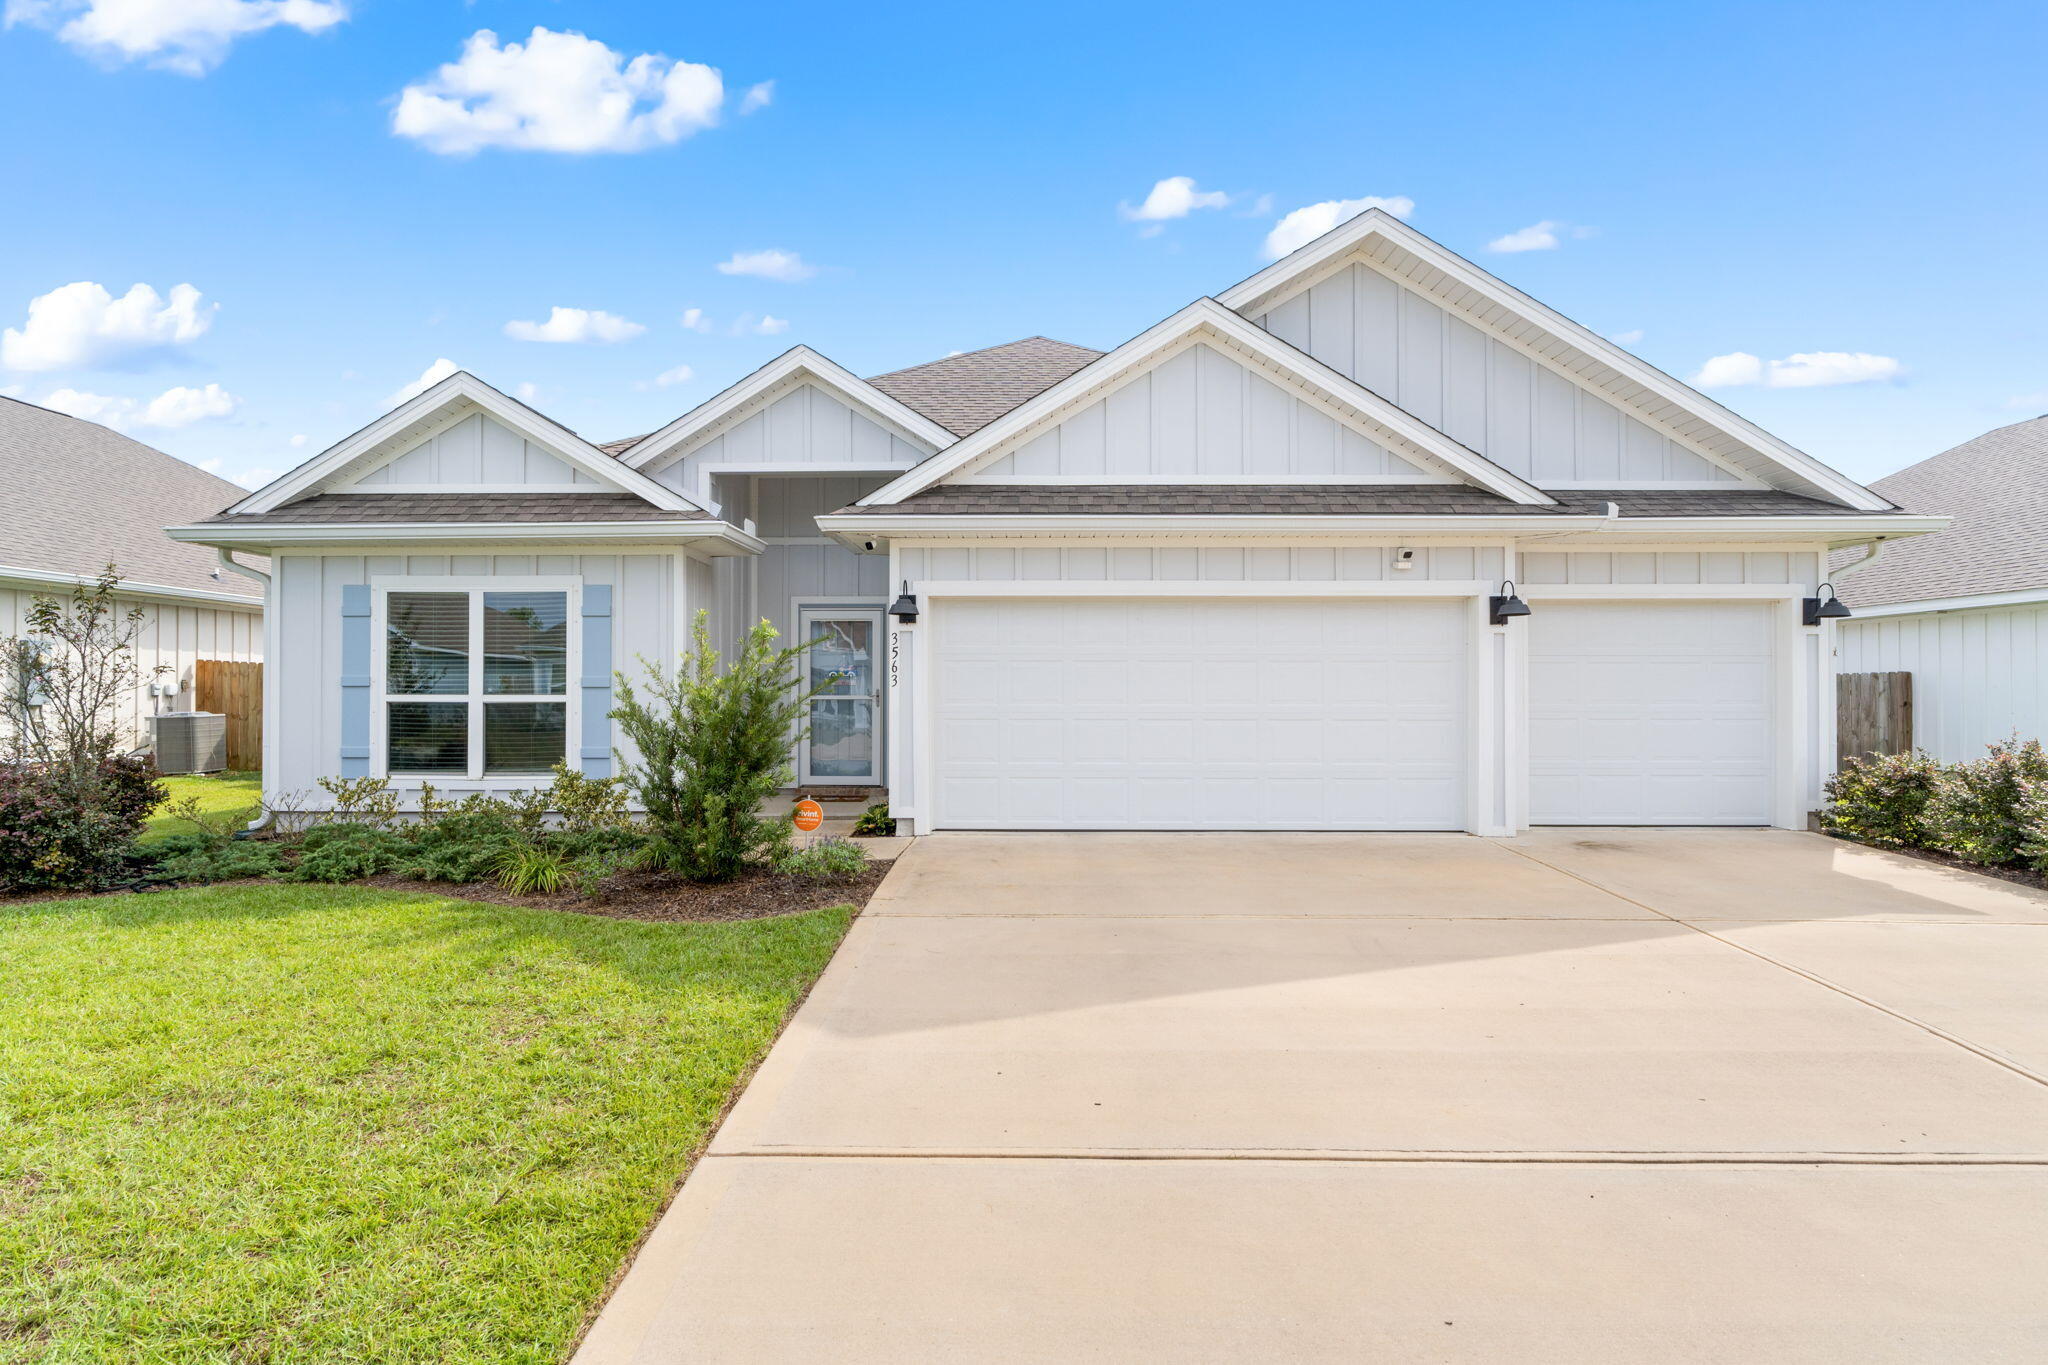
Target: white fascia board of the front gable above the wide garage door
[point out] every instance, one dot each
(1140, 351)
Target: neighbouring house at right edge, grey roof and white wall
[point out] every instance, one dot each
(1963, 611)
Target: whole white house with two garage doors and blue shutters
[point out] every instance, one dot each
(1242, 572)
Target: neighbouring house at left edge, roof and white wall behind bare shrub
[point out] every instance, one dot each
(81, 498)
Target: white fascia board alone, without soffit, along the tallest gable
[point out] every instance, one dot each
(1377, 222)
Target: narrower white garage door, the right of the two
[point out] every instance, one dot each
(1652, 713)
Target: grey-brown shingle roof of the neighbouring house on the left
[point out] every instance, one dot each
(83, 496)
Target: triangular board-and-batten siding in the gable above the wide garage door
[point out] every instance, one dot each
(1199, 414)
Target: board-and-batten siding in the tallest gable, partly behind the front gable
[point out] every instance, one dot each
(1478, 388)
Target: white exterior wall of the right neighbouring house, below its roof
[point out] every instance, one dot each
(1979, 676)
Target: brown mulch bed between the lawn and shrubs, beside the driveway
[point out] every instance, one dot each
(660, 897)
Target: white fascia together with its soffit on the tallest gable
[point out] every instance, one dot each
(1555, 341)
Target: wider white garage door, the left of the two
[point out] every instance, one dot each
(1199, 713)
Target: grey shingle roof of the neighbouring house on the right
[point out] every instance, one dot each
(1996, 488)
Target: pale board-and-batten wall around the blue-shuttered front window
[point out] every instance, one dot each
(306, 732)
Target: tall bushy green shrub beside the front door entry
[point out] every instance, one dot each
(714, 746)
